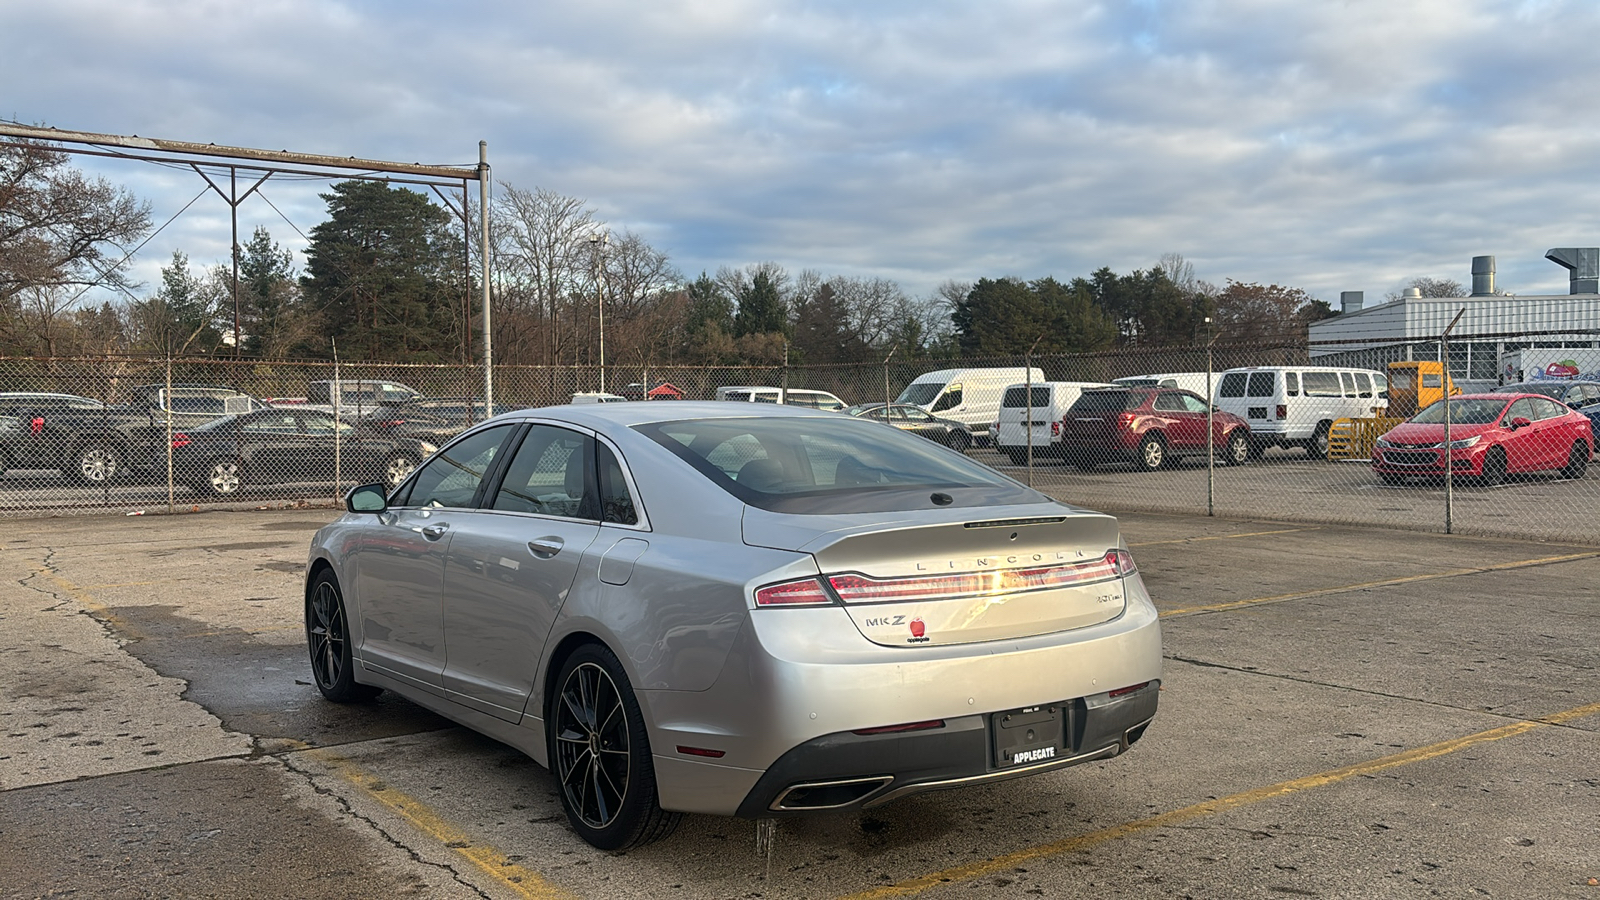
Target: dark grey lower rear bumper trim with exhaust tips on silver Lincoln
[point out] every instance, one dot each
(852, 771)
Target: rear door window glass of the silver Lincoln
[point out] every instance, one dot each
(551, 476)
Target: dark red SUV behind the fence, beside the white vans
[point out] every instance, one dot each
(1150, 427)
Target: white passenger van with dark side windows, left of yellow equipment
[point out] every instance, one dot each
(1294, 406)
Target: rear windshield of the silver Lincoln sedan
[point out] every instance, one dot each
(826, 465)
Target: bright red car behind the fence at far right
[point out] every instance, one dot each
(1490, 436)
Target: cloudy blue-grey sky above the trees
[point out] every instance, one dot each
(1322, 145)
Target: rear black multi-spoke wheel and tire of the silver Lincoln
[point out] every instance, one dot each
(601, 755)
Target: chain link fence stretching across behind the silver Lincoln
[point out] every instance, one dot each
(137, 435)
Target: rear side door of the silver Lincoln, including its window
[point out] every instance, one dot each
(511, 566)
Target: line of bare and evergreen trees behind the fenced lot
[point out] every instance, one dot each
(393, 276)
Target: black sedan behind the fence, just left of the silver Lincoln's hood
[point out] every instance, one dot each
(271, 448)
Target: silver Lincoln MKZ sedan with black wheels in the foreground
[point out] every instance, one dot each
(735, 609)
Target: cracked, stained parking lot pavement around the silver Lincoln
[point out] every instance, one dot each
(1348, 712)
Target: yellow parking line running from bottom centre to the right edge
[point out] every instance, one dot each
(1222, 805)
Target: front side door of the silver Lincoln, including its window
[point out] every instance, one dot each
(401, 560)
